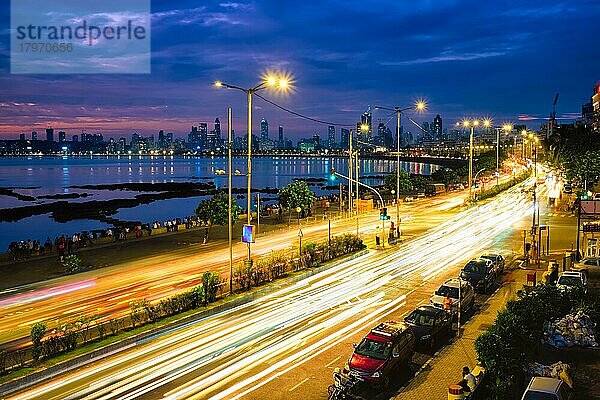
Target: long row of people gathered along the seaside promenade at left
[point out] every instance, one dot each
(66, 244)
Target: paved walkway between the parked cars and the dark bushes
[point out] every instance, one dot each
(444, 369)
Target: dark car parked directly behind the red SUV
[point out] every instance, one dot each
(429, 324)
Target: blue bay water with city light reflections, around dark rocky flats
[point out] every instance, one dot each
(36, 176)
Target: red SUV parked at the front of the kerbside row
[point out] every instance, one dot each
(387, 348)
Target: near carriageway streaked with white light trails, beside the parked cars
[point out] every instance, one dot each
(285, 345)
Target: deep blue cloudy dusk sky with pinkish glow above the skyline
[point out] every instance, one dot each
(502, 59)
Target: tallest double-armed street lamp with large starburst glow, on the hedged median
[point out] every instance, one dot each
(280, 82)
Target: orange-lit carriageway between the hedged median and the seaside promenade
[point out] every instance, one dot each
(108, 292)
